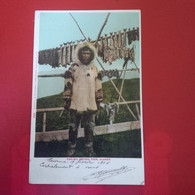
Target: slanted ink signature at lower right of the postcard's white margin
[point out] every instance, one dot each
(102, 175)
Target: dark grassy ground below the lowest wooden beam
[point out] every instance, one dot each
(124, 145)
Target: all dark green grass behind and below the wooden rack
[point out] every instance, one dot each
(118, 145)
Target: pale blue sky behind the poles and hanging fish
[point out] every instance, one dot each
(58, 27)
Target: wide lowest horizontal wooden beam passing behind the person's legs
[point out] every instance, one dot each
(60, 135)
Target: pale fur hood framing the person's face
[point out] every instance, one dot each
(79, 47)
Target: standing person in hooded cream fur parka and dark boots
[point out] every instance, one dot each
(82, 95)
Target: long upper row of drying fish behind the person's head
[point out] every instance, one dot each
(109, 48)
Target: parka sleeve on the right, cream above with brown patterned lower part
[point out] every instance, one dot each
(98, 88)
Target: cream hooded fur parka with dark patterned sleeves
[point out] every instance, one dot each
(83, 83)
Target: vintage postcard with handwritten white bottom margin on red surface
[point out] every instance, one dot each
(87, 123)
